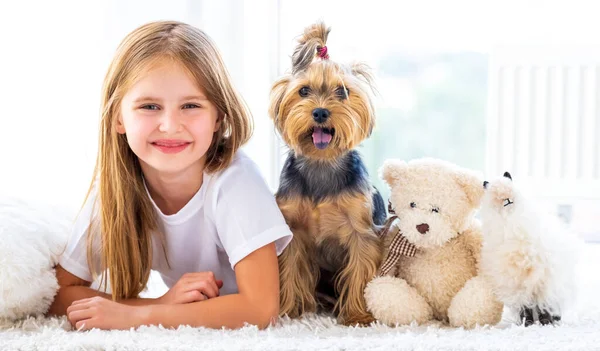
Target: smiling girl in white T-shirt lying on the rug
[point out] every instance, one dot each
(172, 193)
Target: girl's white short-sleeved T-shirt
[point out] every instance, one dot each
(233, 214)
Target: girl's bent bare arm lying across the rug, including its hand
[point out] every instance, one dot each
(256, 303)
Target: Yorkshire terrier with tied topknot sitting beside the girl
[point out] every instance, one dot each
(323, 110)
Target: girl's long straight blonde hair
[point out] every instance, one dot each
(126, 217)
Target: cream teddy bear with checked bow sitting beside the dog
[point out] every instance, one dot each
(431, 260)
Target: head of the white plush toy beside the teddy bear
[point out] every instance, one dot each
(500, 199)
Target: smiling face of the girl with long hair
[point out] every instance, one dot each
(168, 121)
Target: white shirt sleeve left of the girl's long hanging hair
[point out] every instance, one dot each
(74, 259)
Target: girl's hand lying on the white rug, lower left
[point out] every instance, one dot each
(101, 313)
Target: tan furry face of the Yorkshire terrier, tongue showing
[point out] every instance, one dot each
(324, 110)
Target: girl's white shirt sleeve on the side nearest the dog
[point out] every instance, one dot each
(246, 214)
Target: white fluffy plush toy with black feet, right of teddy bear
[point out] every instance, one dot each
(528, 256)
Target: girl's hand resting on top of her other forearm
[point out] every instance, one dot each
(192, 287)
